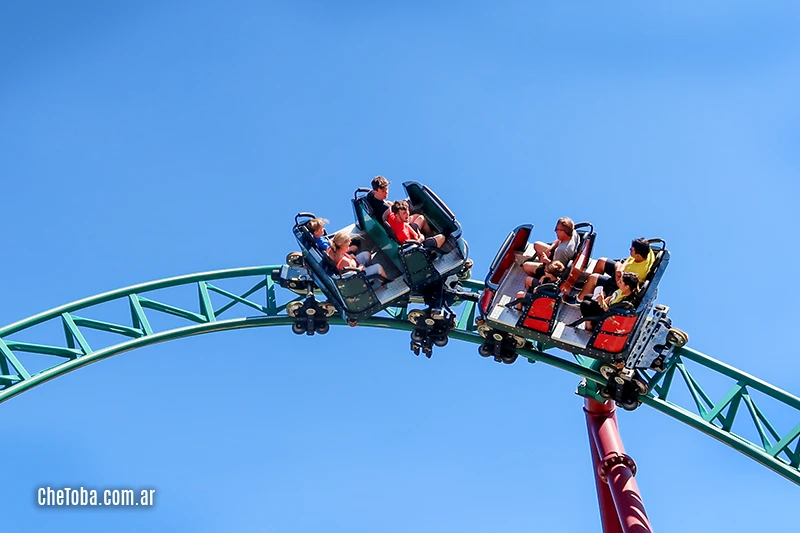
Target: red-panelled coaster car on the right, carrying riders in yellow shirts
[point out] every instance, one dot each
(623, 335)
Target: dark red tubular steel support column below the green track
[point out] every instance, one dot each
(614, 473)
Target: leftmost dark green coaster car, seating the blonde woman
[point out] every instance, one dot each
(352, 293)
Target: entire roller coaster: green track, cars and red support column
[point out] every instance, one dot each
(434, 298)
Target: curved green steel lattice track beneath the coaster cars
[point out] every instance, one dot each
(50, 344)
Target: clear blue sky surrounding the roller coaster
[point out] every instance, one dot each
(145, 140)
